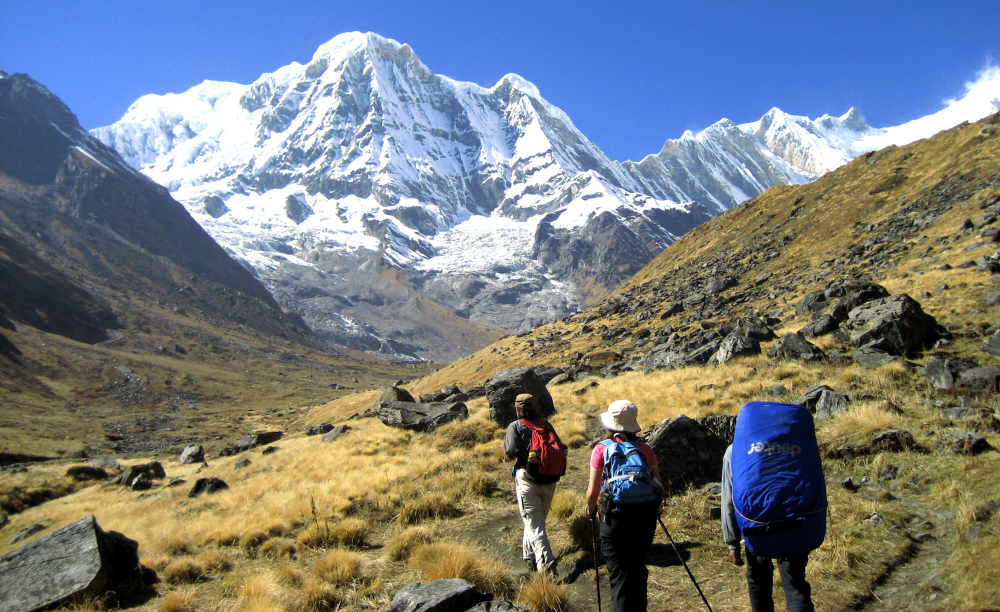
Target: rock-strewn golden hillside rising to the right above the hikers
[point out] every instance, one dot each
(919, 219)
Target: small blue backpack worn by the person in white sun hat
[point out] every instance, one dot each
(628, 480)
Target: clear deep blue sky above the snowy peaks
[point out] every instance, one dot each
(629, 76)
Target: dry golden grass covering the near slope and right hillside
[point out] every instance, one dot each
(383, 476)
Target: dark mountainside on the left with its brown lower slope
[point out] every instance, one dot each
(113, 300)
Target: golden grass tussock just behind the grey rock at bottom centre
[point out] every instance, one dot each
(462, 560)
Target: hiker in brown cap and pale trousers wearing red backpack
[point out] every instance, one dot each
(539, 460)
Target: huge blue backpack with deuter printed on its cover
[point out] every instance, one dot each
(779, 491)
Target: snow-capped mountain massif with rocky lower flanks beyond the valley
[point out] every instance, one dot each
(403, 212)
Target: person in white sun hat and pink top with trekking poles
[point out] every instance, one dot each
(625, 482)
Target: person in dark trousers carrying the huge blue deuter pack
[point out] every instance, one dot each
(774, 498)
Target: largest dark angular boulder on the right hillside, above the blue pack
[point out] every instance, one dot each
(895, 325)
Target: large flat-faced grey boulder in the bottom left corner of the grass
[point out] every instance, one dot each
(79, 561)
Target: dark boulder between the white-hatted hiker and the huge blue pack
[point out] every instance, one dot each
(689, 454)
